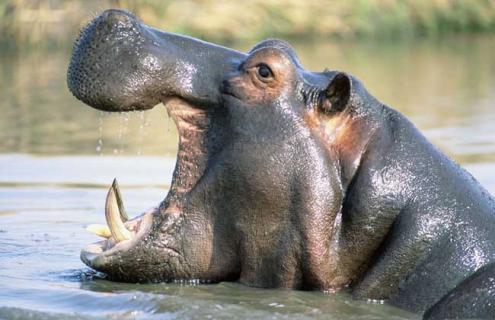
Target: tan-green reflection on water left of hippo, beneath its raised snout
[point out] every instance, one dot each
(40, 116)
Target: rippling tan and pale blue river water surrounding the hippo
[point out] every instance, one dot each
(57, 158)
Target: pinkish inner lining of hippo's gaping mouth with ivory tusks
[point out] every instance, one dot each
(122, 234)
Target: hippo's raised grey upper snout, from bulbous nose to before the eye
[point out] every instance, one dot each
(121, 64)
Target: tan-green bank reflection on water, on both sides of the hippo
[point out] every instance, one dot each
(446, 88)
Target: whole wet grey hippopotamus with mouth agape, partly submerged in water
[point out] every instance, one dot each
(285, 178)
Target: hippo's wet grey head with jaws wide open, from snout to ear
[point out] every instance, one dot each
(258, 181)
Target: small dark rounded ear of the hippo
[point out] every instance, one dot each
(337, 94)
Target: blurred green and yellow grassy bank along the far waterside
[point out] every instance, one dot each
(52, 21)
